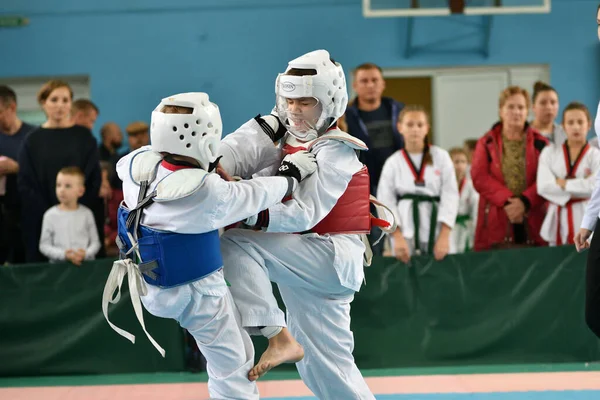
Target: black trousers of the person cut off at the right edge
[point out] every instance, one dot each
(592, 284)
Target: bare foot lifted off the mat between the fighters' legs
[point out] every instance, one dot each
(283, 348)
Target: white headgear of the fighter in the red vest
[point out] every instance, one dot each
(328, 86)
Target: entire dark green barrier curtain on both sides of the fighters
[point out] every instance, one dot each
(516, 306)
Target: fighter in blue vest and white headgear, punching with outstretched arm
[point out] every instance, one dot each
(174, 205)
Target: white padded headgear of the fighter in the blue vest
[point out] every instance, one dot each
(196, 135)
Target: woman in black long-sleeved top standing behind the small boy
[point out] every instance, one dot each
(56, 144)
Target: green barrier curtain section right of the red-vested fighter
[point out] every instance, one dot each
(517, 306)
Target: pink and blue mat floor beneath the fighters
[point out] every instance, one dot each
(515, 382)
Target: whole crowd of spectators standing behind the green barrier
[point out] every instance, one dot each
(521, 183)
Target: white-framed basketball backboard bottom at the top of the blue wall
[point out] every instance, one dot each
(437, 8)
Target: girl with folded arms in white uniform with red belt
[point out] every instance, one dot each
(567, 177)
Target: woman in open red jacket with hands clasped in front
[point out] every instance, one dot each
(504, 170)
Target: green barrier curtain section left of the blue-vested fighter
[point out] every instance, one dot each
(51, 323)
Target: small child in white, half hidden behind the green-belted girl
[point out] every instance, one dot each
(463, 234)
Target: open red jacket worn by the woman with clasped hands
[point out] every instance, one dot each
(493, 226)
